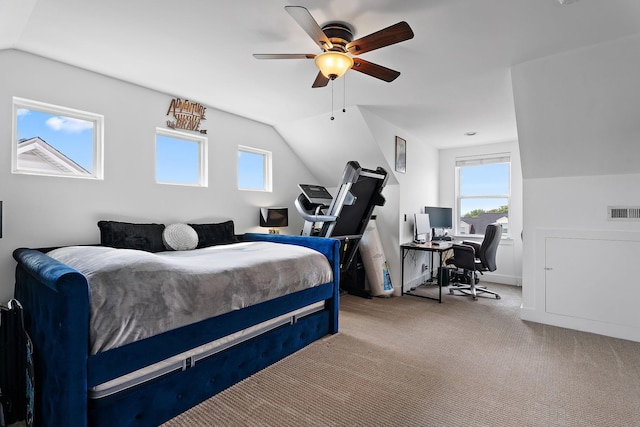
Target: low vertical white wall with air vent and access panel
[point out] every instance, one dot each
(576, 208)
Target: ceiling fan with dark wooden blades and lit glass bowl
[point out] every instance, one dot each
(339, 50)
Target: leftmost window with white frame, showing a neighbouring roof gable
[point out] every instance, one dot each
(56, 141)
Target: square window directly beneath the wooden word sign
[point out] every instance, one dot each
(181, 158)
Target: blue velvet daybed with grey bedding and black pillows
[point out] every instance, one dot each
(88, 375)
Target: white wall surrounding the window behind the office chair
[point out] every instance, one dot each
(509, 255)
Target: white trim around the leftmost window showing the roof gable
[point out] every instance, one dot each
(98, 137)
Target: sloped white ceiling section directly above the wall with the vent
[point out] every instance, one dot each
(578, 112)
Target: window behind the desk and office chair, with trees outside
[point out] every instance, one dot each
(483, 191)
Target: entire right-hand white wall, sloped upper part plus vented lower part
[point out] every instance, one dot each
(578, 128)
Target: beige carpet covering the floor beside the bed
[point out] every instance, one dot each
(406, 361)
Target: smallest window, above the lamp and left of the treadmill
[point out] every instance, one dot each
(254, 169)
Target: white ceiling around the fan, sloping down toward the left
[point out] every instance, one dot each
(455, 71)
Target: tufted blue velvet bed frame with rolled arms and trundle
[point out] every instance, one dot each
(56, 302)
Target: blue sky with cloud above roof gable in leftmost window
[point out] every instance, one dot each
(72, 137)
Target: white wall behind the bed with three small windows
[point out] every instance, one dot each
(45, 211)
